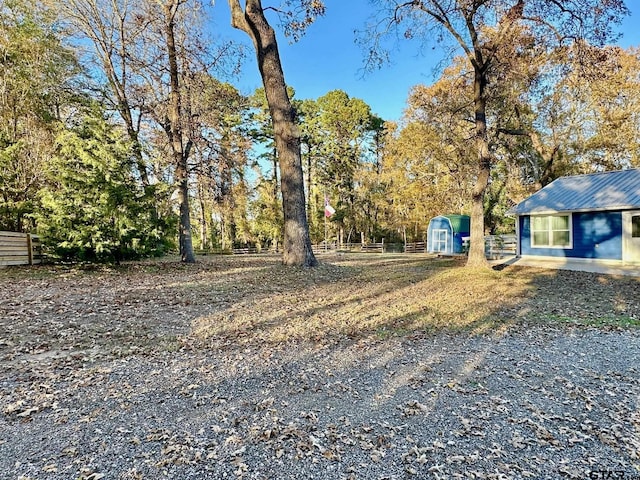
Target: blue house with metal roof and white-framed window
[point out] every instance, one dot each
(593, 217)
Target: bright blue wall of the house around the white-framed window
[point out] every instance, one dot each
(596, 235)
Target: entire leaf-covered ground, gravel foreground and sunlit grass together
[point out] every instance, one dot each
(370, 366)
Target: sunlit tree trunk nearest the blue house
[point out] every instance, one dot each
(476, 251)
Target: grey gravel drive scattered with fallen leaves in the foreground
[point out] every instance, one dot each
(542, 404)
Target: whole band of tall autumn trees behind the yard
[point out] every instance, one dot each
(123, 135)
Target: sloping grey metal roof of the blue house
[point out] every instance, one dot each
(619, 190)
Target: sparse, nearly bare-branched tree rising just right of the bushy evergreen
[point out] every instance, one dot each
(146, 52)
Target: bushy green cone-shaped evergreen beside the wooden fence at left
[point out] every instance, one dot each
(91, 208)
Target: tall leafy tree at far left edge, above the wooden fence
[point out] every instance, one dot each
(37, 79)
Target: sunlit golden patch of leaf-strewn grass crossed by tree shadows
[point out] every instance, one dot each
(382, 297)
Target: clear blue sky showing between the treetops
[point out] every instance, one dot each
(327, 58)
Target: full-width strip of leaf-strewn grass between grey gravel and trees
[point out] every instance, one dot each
(238, 300)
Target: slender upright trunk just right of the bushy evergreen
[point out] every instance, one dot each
(175, 133)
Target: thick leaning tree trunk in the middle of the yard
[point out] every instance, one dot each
(297, 242)
